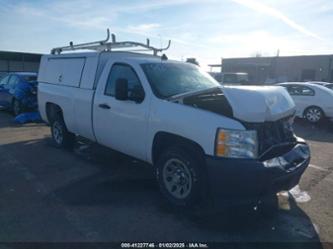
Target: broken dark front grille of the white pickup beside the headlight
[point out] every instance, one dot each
(272, 133)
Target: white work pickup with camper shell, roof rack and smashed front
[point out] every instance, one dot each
(229, 143)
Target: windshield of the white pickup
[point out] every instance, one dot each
(168, 79)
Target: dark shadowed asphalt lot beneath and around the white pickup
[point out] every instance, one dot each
(97, 195)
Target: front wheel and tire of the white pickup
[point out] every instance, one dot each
(180, 177)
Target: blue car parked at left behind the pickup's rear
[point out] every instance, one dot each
(18, 92)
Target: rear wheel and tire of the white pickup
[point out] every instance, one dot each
(61, 137)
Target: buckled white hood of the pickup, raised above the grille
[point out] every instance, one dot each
(259, 103)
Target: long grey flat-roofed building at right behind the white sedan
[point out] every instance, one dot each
(276, 69)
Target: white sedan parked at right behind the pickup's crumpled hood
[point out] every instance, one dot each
(313, 101)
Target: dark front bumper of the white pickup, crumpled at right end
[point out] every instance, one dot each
(237, 181)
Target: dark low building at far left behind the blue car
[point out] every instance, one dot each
(18, 62)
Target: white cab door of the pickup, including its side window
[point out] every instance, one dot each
(121, 124)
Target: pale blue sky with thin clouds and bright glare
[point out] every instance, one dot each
(205, 29)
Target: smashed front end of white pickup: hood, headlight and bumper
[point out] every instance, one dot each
(279, 157)
